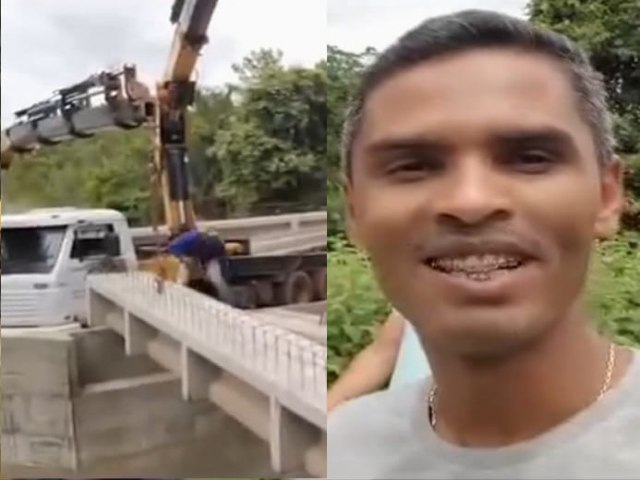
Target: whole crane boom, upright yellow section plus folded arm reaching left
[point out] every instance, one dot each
(71, 112)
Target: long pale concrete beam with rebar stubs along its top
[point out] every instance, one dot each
(271, 380)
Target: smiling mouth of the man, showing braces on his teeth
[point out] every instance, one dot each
(479, 267)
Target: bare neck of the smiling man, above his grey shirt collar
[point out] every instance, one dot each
(500, 402)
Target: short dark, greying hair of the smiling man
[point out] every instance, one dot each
(473, 29)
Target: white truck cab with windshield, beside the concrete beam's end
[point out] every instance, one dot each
(46, 257)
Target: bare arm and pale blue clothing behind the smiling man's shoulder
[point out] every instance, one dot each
(395, 356)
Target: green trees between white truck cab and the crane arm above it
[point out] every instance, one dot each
(105, 171)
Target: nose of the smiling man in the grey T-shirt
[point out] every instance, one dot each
(473, 196)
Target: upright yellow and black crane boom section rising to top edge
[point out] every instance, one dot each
(175, 93)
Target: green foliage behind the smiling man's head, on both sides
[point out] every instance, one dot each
(610, 32)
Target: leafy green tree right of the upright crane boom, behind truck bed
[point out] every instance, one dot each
(273, 148)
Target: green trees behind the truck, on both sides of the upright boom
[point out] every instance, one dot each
(257, 146)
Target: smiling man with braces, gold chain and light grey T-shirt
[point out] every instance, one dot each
(480, 174)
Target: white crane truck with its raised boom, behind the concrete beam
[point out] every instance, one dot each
(47, 253)
